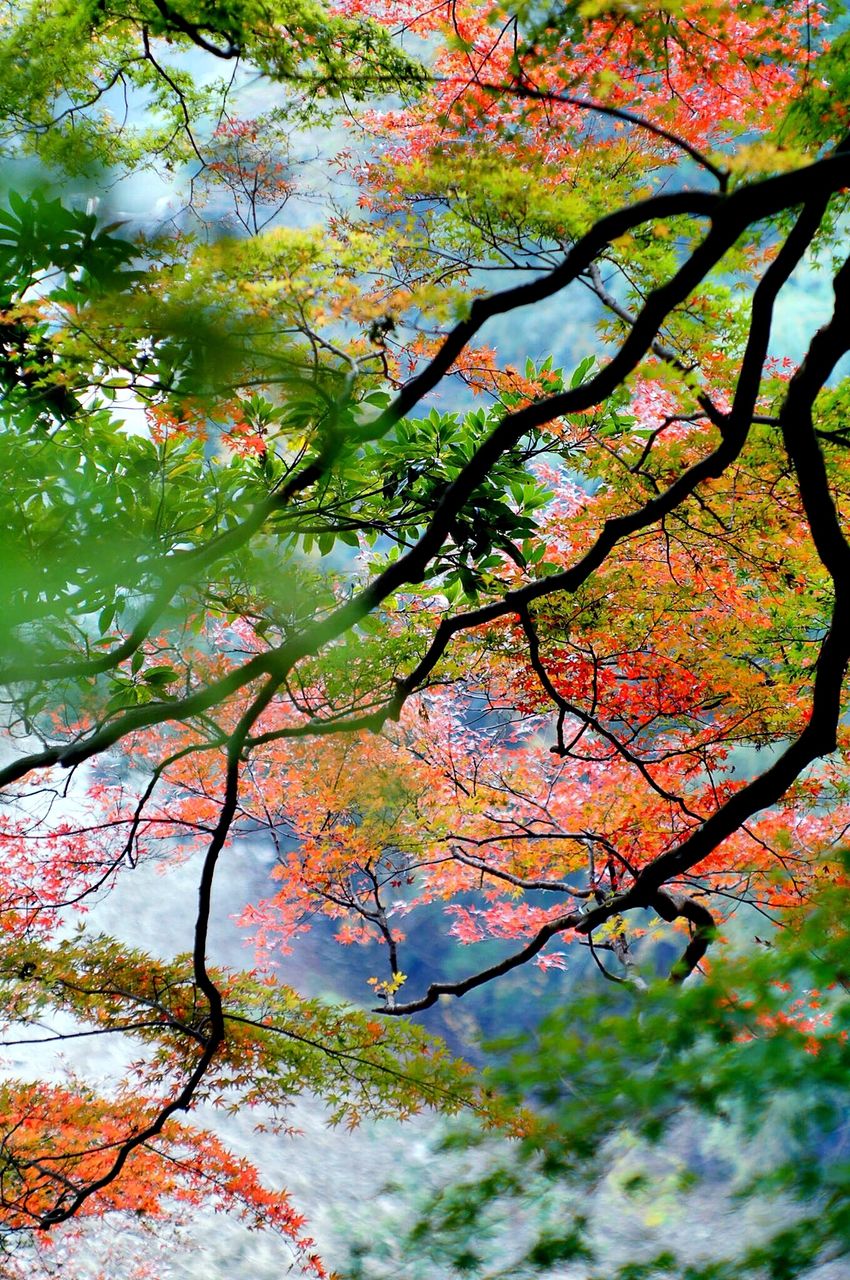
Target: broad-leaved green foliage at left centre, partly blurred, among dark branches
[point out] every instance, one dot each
(102, 515)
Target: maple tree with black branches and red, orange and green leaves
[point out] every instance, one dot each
(527, 661)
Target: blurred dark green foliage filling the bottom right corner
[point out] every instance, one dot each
(739, 1084)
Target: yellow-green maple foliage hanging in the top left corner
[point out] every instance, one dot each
(65, 67)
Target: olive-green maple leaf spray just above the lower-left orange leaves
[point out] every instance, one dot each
(278, 1046)
